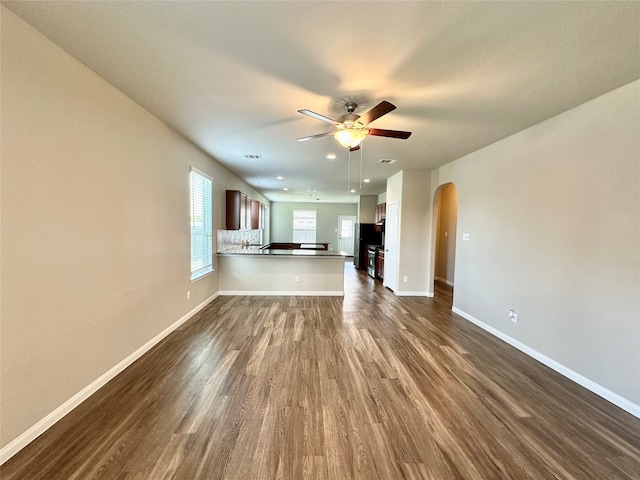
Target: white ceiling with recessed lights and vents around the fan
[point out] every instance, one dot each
(230, 76)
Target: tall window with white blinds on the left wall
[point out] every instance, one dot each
(201, 225)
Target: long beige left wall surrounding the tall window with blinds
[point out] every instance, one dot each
(95, 227)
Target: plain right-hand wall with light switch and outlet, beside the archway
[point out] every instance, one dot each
(553, 214)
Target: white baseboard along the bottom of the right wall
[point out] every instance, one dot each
(596, 388)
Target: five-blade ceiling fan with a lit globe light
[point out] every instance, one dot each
(350, 127)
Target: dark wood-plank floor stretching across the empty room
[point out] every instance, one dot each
(372, 386)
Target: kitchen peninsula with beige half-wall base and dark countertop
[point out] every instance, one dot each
(272, 271)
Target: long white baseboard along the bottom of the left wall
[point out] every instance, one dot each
(47, 422)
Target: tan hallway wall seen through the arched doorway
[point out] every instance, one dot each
(447, 208)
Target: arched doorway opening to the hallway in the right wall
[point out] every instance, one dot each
(446, 221)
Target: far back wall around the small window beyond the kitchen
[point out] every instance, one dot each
(327, 220)
